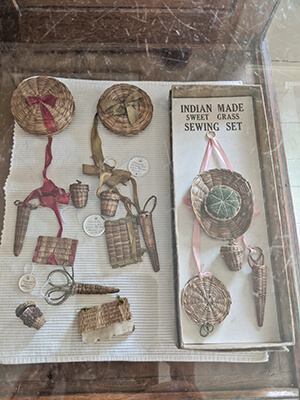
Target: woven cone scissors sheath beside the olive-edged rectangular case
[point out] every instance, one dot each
(145, 220)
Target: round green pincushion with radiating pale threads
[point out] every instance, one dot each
(223, 202)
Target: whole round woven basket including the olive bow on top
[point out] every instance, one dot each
(125, 109)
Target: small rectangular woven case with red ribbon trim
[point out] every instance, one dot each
(55, 250)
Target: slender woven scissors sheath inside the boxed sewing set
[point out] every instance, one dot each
(259, 279)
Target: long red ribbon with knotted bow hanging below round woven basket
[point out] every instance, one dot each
(49, 194)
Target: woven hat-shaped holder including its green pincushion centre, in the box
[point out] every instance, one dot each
(222, 201)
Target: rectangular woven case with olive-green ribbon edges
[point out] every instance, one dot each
(122, 248)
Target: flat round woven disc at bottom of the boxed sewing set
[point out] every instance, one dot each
(206, 299)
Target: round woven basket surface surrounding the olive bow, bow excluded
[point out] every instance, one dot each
(120, 124)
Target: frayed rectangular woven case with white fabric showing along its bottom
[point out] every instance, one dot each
(105, 321)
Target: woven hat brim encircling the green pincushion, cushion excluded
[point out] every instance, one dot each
(224, 229)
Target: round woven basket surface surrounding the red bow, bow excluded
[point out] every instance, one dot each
(30, 117)
